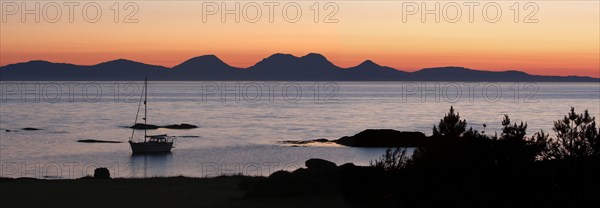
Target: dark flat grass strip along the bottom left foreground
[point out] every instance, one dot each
(150, 192)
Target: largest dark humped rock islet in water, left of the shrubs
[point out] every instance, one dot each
(383, 138)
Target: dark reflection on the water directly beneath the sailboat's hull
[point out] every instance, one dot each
(150, 165)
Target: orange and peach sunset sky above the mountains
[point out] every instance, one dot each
(541, 37)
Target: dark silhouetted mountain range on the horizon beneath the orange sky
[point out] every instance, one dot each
(277, 67)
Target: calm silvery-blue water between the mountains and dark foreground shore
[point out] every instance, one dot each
(240, 123)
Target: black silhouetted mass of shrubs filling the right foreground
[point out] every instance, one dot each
(463, 167)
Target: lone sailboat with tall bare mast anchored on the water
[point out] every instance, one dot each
(151, 143)
